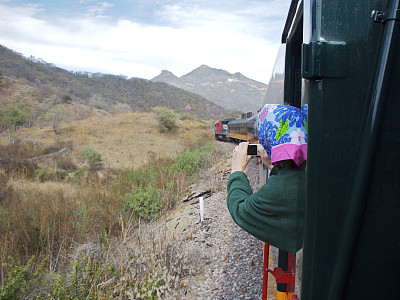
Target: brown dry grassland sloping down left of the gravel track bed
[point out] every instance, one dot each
(52, 203)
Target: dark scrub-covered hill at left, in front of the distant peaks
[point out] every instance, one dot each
(35, 83)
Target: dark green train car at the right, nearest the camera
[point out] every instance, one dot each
(342, 58)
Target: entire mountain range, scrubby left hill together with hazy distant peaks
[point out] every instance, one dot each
(203, 93)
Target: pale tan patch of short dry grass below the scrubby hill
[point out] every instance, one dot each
(125, 141)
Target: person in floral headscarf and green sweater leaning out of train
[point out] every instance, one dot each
(275, 213)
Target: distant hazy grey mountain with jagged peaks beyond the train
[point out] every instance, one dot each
(232, 91)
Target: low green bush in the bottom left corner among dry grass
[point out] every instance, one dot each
(33, 281)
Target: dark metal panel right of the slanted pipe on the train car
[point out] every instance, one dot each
(376, 259)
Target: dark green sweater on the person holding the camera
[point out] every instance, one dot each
(275, 214)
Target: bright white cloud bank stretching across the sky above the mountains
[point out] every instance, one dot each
(191, 36)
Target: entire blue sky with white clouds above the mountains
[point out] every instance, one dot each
(140, 38)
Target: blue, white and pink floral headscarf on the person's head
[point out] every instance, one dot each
(282, 130)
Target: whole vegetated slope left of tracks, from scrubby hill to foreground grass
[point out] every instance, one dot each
(85, 160)
